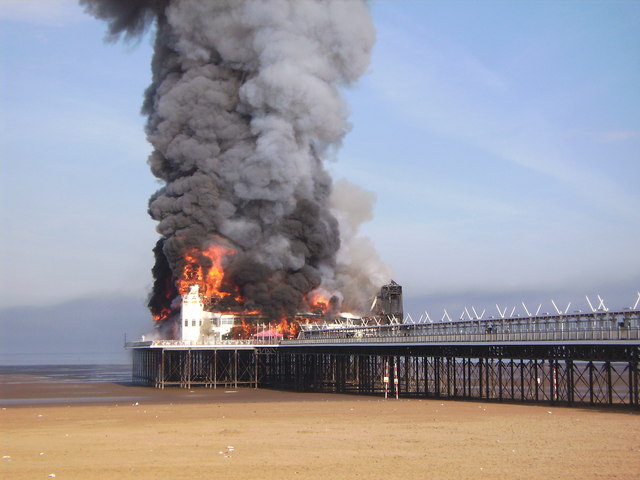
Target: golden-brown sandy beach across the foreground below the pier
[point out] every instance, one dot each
(108, 431)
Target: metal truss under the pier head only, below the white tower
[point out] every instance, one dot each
(212, 366)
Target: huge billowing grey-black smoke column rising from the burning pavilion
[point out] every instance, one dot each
(243, 108)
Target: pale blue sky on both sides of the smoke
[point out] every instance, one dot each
(502, 140)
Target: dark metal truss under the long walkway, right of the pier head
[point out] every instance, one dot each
(573, 375)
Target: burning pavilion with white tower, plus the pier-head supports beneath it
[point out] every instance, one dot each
(234, 349)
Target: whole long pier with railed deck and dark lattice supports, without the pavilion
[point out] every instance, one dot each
(568, 359)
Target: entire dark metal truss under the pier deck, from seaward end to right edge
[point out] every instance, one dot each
(573, 375)
